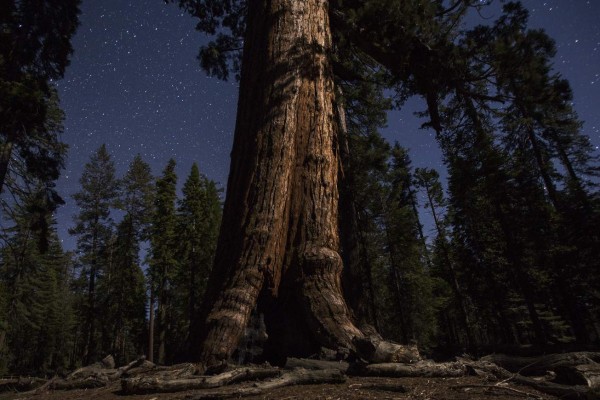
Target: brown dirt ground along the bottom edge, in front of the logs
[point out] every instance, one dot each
(474, 388)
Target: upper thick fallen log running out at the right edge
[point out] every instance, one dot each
(540, 365)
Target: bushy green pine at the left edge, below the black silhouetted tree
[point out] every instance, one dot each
(37, 334)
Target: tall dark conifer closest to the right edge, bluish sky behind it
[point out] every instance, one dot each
(537, 125)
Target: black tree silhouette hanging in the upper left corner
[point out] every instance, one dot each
(35, 47)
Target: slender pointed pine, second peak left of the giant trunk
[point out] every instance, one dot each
(163, 262)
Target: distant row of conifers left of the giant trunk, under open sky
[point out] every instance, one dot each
(59, 310)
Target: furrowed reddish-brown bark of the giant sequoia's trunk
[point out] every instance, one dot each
(279, 237)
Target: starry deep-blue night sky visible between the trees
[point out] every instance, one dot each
(134, 84)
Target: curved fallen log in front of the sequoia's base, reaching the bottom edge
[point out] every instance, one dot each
(295, 377)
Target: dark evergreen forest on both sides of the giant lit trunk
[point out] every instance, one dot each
(502, 256)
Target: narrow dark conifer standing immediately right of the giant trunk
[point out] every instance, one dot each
(363, 164)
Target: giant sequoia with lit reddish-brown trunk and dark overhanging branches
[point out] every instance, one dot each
(279, 245)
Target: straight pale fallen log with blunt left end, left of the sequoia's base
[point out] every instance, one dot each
(167, 384)
